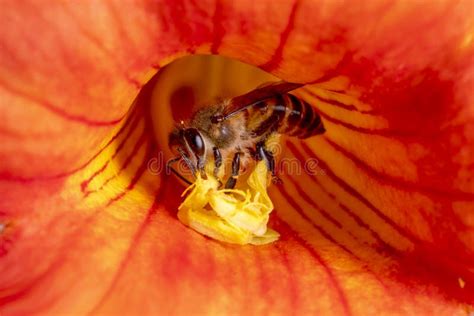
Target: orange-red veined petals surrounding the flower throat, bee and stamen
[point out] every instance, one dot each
(383, 225)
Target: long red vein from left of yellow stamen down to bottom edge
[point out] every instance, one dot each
(133, 246)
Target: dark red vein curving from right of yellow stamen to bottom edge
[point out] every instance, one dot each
(332, 278)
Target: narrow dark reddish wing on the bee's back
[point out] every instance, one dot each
(249, 99)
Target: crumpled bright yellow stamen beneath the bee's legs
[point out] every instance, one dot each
(233, 216)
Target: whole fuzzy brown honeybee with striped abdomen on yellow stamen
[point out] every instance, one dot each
(239, 128)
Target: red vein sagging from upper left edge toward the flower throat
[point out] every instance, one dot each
(61, 112)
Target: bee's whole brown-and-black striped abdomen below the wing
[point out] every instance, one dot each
(285, 114)
